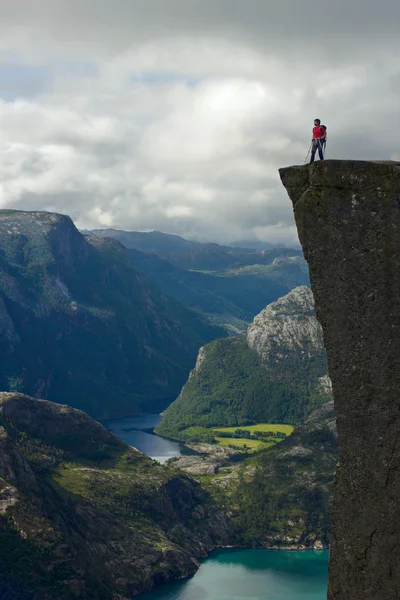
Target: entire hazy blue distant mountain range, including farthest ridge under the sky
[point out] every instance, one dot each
(228, 285)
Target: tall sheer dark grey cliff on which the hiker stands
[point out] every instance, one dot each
(348, 218)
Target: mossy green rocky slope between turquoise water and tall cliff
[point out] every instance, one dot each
(282, 496)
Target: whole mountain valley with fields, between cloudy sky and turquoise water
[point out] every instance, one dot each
(243, 457)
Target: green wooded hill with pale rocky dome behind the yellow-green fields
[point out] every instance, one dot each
(277, 374)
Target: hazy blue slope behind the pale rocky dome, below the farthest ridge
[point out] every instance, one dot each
(231, 297)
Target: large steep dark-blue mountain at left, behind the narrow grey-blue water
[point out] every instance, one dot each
(80, 326)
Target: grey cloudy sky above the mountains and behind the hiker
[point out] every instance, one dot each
(176, 114)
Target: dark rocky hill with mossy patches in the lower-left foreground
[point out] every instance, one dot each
(83, 515)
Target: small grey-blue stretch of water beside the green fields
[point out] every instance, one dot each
(136, 431)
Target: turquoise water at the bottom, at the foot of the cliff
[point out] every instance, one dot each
(253, 575)
